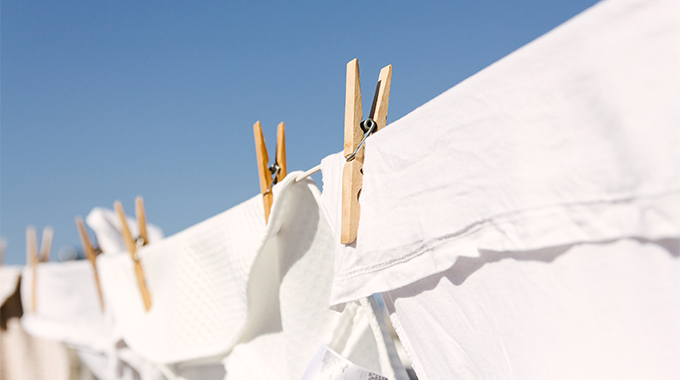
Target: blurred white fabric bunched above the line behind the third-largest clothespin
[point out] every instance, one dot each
(107, 228)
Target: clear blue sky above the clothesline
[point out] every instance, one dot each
(107, 100)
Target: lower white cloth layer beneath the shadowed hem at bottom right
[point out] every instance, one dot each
(589, 311)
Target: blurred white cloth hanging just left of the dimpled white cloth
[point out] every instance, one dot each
(68, 311)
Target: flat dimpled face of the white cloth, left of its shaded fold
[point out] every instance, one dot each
(197, 279)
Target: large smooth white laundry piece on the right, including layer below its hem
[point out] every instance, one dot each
(498, 218)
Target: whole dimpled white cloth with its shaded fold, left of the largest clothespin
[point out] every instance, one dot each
(227, 284)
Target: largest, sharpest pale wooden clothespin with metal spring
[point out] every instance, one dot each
(356, 132)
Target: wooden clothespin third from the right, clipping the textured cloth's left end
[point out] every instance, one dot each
(133, 244)
